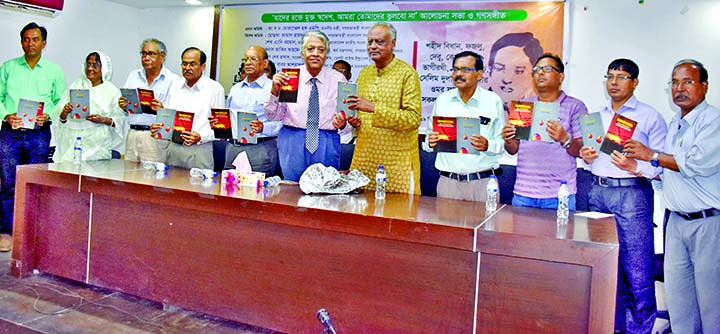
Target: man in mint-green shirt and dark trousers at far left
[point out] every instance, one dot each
(31, 77)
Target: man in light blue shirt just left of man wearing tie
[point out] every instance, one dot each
(250, 95)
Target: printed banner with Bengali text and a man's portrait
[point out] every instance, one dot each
(509, 35)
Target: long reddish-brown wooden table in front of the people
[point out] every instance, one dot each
(272, 259)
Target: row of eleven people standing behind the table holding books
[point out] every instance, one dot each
(295, 135)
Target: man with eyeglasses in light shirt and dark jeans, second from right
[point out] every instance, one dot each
(621, 186)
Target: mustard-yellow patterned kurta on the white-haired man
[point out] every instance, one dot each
(389, 136)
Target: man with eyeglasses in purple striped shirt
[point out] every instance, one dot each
(537, 182)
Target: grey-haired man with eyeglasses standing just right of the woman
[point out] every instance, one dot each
(140, 146)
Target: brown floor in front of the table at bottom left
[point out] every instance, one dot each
(50, 305)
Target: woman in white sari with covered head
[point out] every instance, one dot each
(104, 128)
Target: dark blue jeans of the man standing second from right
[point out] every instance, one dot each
(635, 305)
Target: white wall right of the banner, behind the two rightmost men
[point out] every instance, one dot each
(655, 35)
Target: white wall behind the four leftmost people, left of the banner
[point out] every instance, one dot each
(117, 30)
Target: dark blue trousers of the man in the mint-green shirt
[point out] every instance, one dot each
(18, 147)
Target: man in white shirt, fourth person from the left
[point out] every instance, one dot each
(196, 94)
